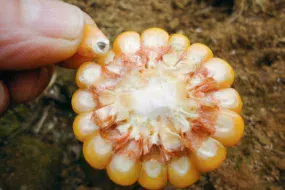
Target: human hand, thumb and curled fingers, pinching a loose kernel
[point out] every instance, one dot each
(35, 35)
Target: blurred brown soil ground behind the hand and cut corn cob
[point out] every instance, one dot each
(39, 151)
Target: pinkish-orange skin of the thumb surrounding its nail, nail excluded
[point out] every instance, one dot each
(23, 48)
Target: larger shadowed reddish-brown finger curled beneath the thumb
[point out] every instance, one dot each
(26, 85)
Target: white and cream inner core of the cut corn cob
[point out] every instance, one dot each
(156, 99)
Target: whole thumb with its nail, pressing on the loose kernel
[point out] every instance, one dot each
(35, 33)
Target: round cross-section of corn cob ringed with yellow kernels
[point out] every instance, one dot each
(156, 109)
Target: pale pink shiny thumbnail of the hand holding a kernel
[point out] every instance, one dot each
(54, 19)
